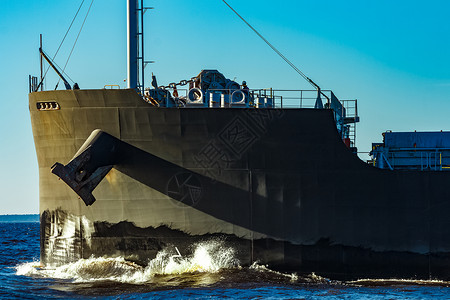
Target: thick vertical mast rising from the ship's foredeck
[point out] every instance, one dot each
(132, 47)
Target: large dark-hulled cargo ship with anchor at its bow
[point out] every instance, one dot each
(272, 173)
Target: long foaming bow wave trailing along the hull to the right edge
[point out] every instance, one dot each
(211, 262)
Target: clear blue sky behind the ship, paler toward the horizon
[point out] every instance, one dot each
(393, 56)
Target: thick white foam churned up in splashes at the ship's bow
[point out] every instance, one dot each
(208, 257)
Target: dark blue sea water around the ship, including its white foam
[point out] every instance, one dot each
(211, 272)
